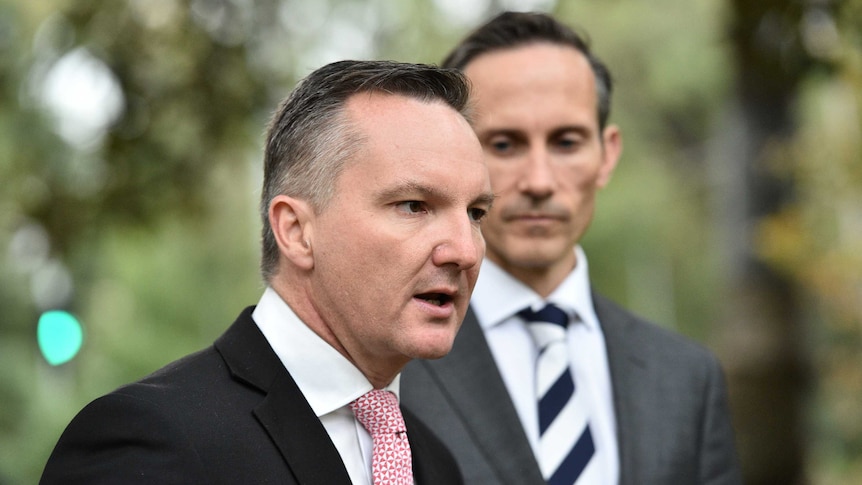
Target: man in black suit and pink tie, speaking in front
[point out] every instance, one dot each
(374, 187)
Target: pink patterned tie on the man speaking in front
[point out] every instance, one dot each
(391, 462)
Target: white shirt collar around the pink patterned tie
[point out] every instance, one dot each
(326, 378)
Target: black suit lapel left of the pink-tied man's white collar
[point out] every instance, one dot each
(283, 412)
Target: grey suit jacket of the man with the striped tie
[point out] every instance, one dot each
(670, 402)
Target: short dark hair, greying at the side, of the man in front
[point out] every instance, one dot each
(308, 140)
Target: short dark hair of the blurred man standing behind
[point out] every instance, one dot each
(515, 29)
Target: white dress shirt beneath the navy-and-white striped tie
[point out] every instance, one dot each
(496, 300)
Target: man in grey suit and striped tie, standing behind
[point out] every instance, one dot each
(633, 403)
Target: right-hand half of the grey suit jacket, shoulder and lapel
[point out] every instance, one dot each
(666, 384)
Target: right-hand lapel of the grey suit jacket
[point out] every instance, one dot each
(630, 387)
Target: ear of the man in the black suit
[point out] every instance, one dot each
(291, 221)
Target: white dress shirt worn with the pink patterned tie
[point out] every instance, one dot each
(326, 378)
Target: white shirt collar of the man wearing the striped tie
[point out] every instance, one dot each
(498, 295)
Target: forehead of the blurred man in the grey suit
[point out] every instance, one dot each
(540, 82)
